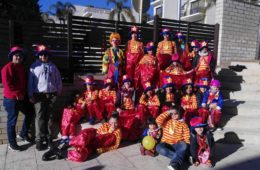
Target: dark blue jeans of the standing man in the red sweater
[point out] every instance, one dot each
(12, 108)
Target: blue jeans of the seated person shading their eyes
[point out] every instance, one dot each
(175, 152)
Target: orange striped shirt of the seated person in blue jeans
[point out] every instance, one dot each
(174, 131)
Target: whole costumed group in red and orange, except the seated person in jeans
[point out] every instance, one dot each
(138, 87)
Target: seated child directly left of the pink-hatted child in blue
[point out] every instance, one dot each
(202, 86)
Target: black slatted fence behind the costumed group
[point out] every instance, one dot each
(78, 45)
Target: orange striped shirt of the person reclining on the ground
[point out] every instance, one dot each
(105, 129)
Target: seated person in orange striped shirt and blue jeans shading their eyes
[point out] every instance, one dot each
(175, 138)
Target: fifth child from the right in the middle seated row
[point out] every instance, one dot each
(149, 103)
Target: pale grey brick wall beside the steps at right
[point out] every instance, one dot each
(239, 30)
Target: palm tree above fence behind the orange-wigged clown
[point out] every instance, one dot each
(120, 11)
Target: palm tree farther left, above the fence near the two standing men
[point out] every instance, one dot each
(61, 10)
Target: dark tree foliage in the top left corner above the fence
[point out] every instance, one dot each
(20, 10)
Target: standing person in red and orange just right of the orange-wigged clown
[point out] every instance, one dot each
(134, 52)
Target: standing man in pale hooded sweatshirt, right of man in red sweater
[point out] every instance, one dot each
(44, 86)
